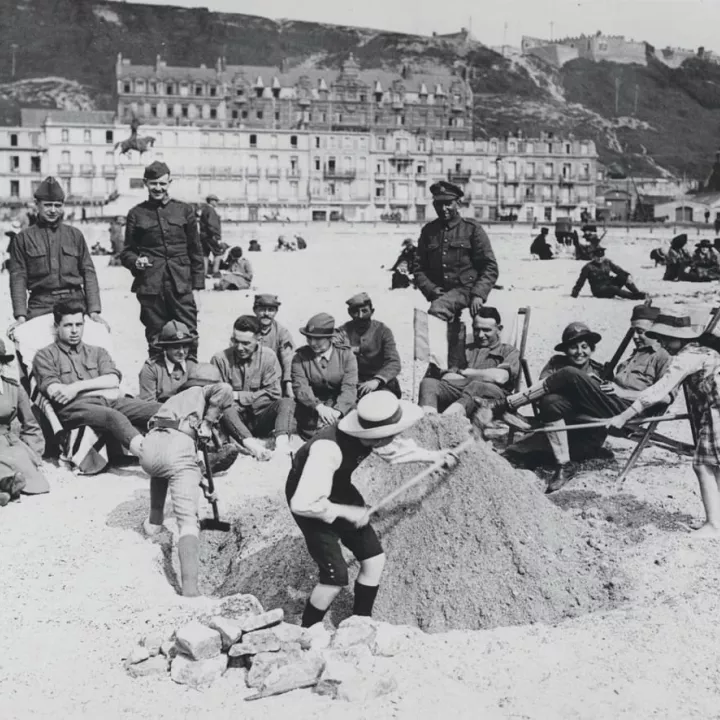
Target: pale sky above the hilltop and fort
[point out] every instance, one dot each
(675, 23)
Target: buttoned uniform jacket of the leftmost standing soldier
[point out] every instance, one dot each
(44, 259)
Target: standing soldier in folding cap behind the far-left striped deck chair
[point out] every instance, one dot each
(50, 261)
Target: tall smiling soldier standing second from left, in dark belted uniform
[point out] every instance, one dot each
(163, 252)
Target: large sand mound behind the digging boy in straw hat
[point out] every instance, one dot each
(479, 547)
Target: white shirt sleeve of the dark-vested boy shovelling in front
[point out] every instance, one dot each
(311, 497)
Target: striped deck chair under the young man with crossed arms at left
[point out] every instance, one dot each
(80, 449)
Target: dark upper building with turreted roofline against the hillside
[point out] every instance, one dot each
(262, 97)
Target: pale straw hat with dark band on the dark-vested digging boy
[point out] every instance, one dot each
(379, 415)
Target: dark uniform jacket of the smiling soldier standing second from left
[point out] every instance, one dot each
(166, 234)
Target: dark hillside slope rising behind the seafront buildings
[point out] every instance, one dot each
(674, 128)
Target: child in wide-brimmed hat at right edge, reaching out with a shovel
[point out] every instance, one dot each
(695, 362)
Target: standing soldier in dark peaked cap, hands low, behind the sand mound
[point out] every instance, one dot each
(455, 265)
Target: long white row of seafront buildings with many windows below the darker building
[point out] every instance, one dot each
(301, 174)
